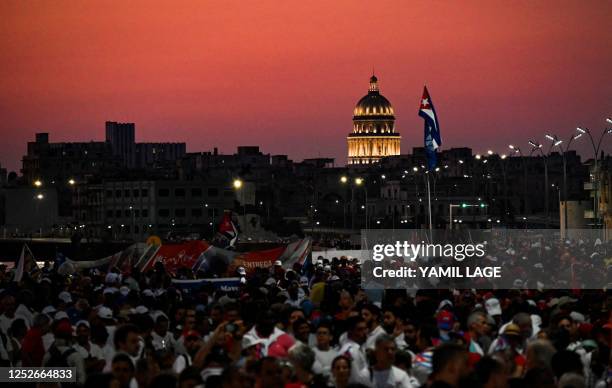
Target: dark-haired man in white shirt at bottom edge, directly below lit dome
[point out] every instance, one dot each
(383, 374)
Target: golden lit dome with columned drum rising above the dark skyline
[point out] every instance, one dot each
(373, 135)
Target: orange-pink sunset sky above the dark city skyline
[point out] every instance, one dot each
(286, 75)
